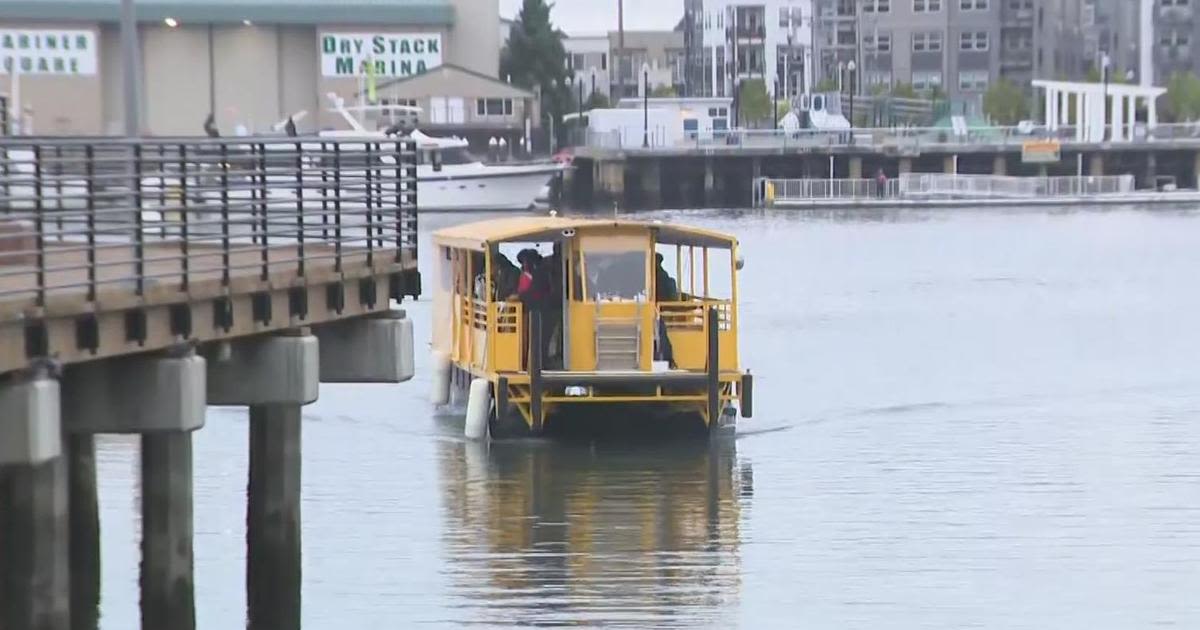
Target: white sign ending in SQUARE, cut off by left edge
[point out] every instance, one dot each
(47, 51)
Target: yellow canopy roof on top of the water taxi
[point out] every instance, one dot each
(478, 236)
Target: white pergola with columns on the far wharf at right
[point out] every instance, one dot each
(1093, 118)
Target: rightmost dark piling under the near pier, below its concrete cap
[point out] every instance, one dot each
(273, 519)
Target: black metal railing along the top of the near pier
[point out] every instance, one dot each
(122, 220)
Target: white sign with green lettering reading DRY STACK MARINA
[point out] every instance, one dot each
(349, 55)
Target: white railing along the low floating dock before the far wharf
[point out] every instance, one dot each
(915, 187)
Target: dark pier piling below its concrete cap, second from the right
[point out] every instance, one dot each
(167, 579)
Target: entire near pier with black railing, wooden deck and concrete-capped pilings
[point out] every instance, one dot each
(142, 281)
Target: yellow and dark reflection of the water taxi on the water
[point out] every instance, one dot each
(562, 535)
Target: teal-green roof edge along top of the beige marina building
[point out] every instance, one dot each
(415, 13)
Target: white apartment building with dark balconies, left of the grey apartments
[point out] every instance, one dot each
(730, 41)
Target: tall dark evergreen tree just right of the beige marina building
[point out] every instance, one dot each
(535, 59)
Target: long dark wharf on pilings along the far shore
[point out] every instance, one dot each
(719, 170)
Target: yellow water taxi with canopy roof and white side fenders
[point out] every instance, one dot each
(538, 320)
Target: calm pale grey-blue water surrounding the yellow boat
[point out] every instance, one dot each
(964, 421)
